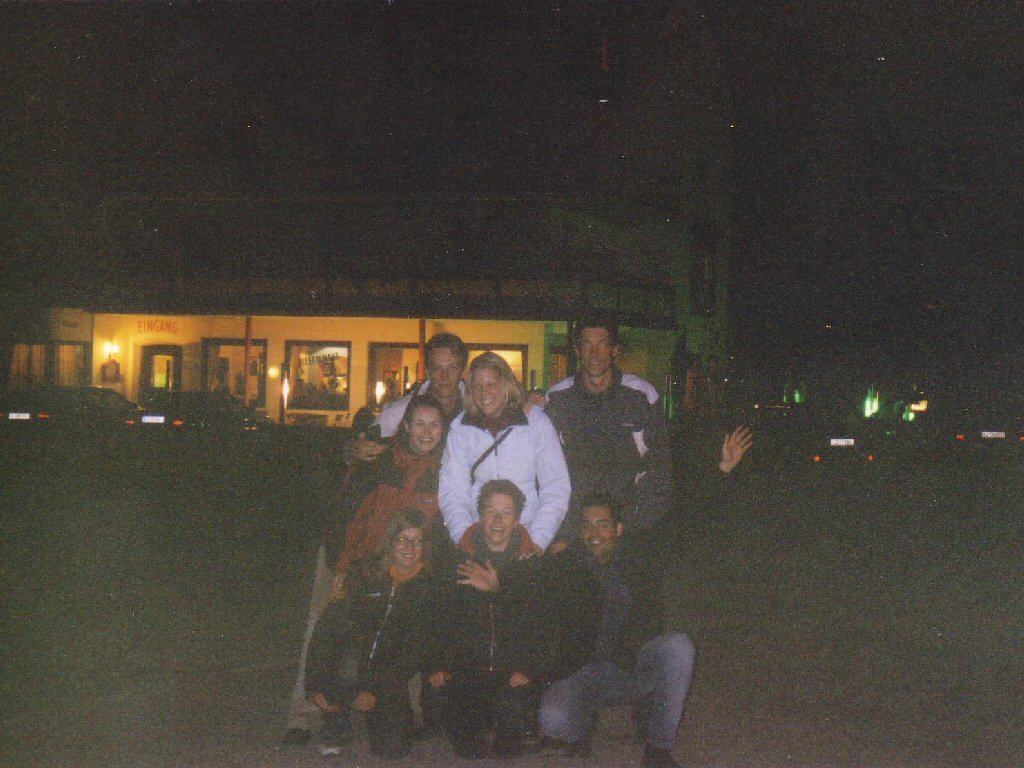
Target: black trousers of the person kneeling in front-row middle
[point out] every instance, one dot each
(474, 704)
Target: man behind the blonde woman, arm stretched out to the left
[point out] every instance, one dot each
(447, 357)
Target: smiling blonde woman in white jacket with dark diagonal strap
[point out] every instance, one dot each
(494, 439)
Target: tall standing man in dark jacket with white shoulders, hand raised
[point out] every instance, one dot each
(615, 434)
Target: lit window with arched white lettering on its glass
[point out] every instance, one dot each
(318, 375)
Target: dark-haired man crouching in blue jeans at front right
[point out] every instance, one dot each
(612, 621)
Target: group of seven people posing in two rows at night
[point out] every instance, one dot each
(498, 561)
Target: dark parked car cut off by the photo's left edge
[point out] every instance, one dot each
(81, 408)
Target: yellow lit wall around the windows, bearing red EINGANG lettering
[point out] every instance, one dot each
(125, 338)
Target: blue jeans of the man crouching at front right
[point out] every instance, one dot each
(658, 689)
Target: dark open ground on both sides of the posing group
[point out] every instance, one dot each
(156, 594)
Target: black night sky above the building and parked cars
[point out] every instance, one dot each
(877, 153)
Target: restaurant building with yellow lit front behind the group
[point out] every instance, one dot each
(343, 344)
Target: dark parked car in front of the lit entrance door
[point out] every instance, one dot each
(202, 411)
